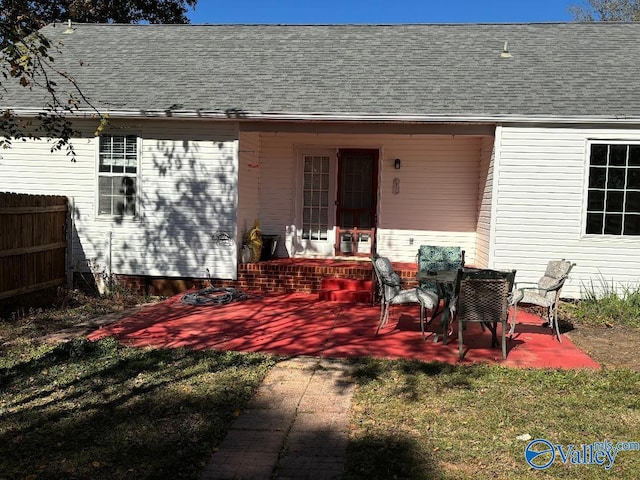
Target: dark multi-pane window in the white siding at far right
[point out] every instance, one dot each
(613, 191)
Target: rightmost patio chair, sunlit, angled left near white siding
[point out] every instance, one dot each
(545, 293)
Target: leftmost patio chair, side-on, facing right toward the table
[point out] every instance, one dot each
(391, 292)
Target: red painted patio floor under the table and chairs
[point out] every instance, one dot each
(302, 324)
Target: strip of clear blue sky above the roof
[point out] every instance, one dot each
(380, 11)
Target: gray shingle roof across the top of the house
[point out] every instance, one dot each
(558, 70)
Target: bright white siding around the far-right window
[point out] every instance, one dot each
(541, 209)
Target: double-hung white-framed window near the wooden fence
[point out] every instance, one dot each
(118, 160)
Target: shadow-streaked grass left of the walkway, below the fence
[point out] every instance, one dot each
(75, 409)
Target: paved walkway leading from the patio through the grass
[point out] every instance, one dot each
(296, 427)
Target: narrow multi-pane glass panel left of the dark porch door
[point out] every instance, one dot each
(315, 210)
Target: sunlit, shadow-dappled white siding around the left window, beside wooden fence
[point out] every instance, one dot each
(186, 222)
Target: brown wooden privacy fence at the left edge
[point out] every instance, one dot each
(33, 243)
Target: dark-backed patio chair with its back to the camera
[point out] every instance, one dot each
(483, 296)
